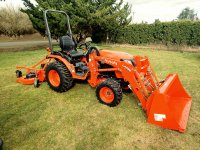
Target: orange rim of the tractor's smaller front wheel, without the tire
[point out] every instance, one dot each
(106, 94)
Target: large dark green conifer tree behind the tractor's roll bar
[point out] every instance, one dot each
(87, 17)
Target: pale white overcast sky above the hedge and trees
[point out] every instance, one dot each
(149, 10)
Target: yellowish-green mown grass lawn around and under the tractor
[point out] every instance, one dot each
(43, 119)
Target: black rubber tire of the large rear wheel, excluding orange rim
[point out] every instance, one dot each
(67, 82)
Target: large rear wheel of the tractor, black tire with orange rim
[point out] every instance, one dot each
(59, 77)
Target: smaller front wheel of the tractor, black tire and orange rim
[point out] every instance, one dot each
(109, 92)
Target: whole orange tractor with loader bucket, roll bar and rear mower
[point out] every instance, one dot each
(166, 103)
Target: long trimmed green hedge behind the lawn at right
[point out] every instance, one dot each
(169, 33)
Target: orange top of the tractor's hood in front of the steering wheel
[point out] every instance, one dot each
(115, 54)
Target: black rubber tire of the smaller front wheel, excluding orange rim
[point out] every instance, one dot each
(116, 88)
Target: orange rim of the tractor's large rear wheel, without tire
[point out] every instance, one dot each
(54, 78)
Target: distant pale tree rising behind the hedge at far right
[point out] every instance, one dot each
(187, 13)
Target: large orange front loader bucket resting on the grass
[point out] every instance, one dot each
(169, 105)
